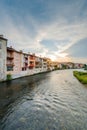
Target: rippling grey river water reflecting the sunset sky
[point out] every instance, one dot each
(49, 101)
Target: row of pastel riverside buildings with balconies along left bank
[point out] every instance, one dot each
(18, 64)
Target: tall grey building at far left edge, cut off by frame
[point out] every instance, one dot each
(3, 55)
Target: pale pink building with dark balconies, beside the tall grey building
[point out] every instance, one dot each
(13, 61)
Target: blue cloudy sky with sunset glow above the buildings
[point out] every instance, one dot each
(49, 28)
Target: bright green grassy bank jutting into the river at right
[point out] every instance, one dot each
(81, 76)
